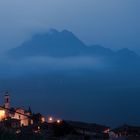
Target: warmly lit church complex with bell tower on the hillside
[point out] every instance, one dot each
(24, 117)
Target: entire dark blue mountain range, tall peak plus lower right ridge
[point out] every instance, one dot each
(64, 44)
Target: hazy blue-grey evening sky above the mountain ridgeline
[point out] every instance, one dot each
(112, 23)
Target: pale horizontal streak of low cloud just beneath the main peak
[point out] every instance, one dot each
(65, 63)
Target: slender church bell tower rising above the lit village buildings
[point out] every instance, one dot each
(7, 104)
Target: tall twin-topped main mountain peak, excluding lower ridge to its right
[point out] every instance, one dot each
(53, 43)
